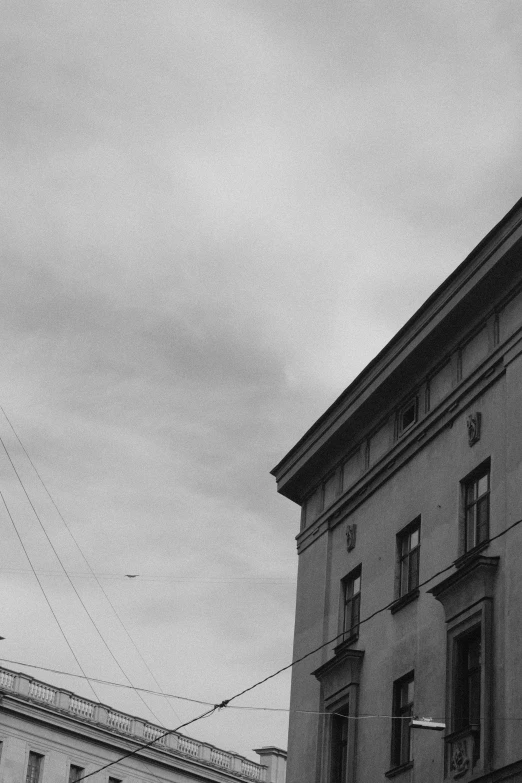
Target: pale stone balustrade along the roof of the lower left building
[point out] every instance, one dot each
(63, 701)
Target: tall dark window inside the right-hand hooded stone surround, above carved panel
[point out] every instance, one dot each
(467, 682)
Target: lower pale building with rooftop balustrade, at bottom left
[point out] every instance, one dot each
(50, 735)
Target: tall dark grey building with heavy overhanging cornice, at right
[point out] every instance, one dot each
(410, 576)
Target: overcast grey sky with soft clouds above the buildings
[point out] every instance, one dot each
(215, 214)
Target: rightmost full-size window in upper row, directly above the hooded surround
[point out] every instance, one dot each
(469, 507)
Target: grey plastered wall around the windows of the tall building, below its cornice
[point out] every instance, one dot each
(388, 482)
